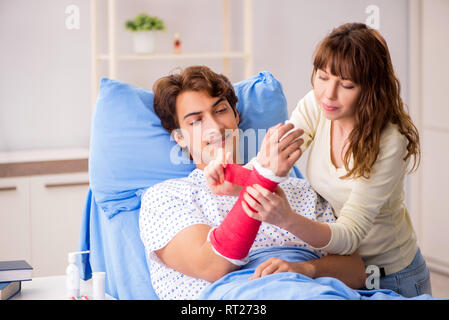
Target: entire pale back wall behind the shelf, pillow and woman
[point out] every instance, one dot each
(45, 79)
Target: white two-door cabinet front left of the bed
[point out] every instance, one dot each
(40, 219)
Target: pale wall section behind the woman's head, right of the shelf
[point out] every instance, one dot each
(289, 30)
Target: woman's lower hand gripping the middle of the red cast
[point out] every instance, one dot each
(270, 207)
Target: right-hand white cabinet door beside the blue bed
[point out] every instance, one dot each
(56, 206)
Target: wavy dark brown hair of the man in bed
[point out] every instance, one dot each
(195, 78)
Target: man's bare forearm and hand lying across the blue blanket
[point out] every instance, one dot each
(348, 269)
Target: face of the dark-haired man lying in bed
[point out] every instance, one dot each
(207, 124)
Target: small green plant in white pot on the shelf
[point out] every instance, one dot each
(143, 27)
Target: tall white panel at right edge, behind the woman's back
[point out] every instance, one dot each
(430, 185)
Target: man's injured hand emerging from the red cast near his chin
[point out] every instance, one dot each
(214, 173)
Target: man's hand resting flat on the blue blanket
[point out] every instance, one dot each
(275, 265)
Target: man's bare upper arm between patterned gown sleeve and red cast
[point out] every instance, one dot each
(190, 253)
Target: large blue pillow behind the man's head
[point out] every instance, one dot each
(130, 150)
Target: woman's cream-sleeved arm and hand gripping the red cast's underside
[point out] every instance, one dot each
(357, 215)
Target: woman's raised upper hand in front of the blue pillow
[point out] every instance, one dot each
(279, 153)
